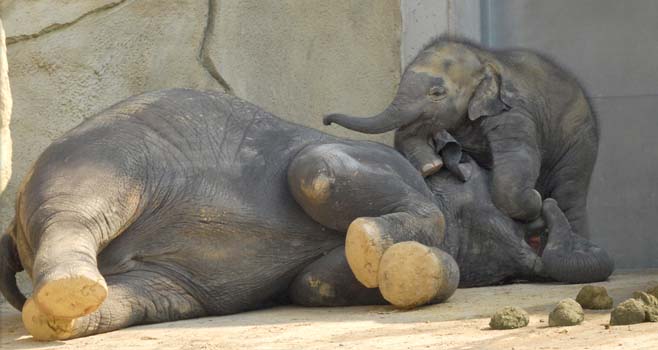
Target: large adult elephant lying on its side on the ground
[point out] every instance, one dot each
(179, 204)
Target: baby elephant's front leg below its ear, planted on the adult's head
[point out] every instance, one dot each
(516, 164)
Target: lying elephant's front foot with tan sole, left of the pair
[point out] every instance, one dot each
(365, 244)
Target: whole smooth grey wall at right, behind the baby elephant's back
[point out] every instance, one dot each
(612, 46)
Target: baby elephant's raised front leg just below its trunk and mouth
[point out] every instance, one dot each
(419, 149)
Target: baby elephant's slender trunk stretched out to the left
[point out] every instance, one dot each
(391, 118)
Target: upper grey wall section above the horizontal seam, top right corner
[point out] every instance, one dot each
(612, 45)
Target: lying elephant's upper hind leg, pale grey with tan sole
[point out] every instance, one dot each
(67, 213)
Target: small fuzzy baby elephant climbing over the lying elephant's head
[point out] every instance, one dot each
(513, 111)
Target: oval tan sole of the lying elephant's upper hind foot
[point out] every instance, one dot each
(71, 297)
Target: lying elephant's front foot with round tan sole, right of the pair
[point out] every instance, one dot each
(412, 274)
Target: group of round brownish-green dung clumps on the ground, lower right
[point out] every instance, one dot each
(642, 307)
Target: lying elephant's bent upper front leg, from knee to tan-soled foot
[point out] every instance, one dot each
(374, 195)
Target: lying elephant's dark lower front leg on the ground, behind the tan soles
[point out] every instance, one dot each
(329, 281)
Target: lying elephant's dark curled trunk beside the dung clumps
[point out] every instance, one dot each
(568, 257)
